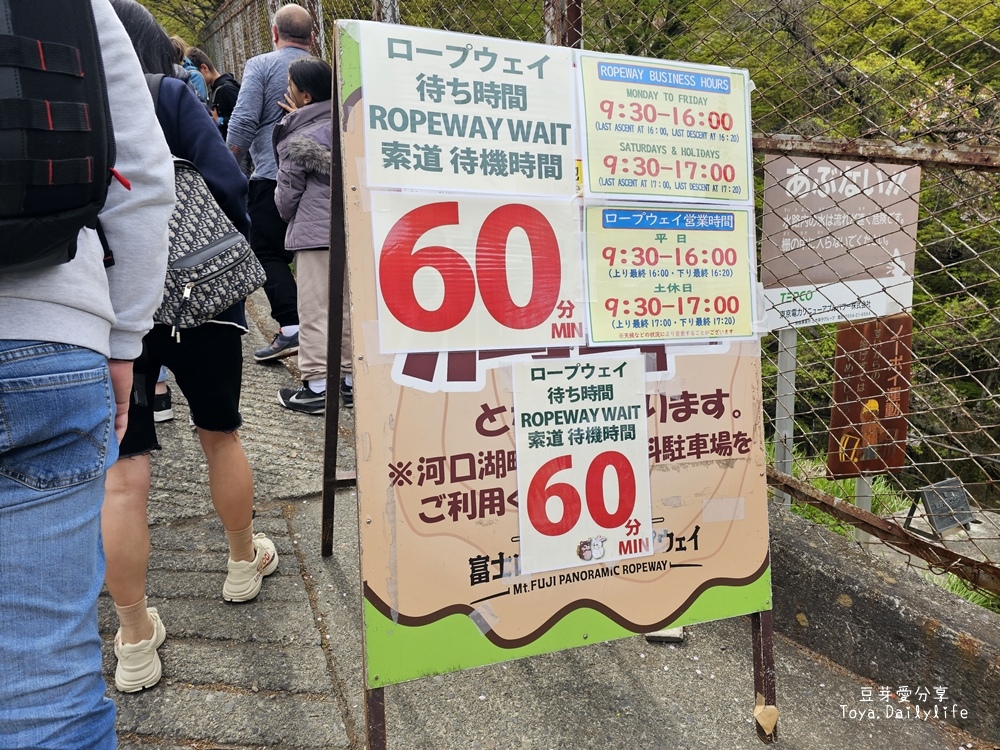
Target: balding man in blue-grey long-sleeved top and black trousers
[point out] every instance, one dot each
(265, 79)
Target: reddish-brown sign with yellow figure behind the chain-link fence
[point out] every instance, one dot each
(871, 397)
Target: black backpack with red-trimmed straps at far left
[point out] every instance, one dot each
(56, 144)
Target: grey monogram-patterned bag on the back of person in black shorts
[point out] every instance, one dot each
(211, 266)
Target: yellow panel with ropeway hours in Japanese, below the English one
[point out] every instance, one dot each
(657, 274)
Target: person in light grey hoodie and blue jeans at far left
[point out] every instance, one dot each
(68, 334)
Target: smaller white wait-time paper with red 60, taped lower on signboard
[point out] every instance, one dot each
(582, 470)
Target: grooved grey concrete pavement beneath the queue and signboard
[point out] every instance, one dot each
(284, 671)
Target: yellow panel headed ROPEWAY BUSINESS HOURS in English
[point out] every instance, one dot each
(665, 130)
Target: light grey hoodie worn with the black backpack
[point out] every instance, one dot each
(81, 302)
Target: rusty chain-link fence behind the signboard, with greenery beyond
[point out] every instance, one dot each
(857, 90)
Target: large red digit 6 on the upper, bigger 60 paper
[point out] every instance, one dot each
(399, 264)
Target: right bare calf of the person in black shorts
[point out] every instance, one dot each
(230, 481)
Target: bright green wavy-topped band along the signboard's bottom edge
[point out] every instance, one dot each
(397, 653)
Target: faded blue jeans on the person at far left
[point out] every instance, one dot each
(56, 442)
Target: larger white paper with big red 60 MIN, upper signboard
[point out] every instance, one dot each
(476, 274)
